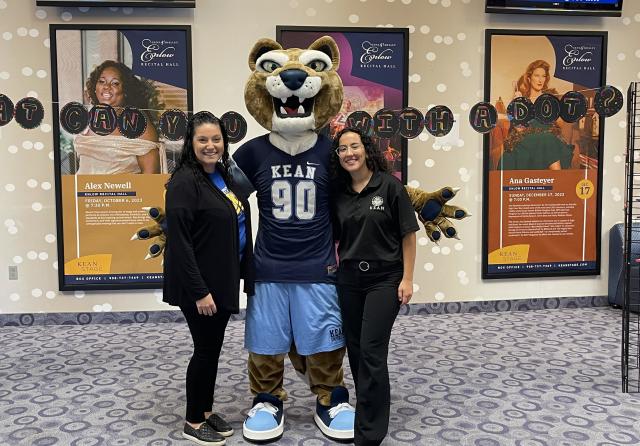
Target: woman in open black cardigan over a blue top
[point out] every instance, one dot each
(208, 251)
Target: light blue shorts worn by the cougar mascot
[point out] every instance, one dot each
(281, 313)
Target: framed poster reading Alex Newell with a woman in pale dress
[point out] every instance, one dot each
(112, 156)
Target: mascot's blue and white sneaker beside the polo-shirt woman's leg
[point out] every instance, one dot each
(337, 420)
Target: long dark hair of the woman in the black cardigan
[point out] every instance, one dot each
(188, 157)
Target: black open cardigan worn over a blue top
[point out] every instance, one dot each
(201, 255)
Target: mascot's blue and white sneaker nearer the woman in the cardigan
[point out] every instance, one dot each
(265, 420)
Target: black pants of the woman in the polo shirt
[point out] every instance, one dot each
(369, 305)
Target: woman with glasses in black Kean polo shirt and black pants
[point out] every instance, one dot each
(375, 225)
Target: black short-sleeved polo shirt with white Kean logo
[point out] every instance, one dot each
(370, 225)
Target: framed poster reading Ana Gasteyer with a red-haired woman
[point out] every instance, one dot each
(542, 173)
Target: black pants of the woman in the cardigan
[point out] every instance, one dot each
(207, 333)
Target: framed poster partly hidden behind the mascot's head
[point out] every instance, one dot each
(374, 64)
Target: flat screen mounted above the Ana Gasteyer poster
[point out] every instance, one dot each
(612, 8)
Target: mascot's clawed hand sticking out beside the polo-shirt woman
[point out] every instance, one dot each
(434, 212)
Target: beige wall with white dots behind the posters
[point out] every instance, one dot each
(446, 67)
